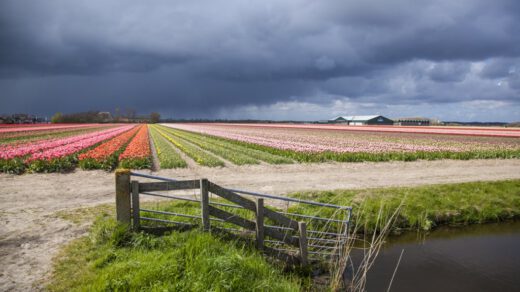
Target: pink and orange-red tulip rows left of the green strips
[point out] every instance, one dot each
(58, 148)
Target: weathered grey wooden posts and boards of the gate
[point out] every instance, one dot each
(128, 211)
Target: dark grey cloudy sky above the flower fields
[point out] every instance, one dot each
(304, 60)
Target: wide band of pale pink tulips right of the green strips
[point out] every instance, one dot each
(316, 140)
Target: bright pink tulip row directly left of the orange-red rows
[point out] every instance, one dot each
(68, 149)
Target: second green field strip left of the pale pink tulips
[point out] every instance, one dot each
(233, 156)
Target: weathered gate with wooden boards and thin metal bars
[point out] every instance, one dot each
(287, 231)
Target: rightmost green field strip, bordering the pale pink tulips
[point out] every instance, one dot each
(240, 149)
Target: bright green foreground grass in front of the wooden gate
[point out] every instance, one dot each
(111, 258)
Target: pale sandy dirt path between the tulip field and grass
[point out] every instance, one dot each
(30, 235)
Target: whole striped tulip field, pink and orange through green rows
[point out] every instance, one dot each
(63, 147)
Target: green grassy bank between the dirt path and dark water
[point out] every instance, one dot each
(425, 207)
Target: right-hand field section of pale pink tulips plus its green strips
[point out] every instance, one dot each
(319, 143)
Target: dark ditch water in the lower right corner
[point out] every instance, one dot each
(475, 258)
